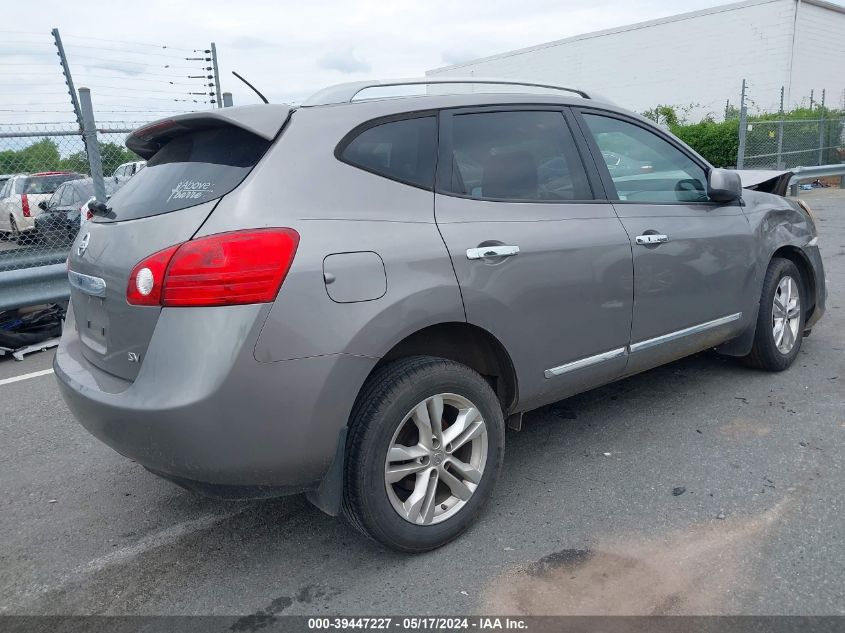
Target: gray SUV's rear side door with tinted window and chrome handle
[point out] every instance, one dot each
(542, 262)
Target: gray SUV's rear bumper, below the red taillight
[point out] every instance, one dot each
(212, 415)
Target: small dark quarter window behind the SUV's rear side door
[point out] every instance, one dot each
(400, 150)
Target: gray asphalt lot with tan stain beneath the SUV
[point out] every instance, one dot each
(699, 487)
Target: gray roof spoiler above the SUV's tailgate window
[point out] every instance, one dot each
(262, 120)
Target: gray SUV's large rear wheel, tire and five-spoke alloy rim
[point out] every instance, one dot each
(387, 414)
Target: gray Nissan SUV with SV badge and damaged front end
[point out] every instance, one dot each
(352, 298)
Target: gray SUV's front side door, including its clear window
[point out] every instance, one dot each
(693, 258)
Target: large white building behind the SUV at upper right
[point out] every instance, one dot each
(695, 59)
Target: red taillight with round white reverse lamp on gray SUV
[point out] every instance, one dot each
(225, 269)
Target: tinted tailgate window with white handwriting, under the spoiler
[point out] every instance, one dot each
(190, 170)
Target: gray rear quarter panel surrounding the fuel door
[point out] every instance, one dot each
(337, 208)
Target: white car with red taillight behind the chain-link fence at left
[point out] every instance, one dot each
(19, 200)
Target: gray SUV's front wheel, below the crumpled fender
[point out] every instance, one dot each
(768, 351)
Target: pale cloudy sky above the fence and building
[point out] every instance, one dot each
(287, 49)
